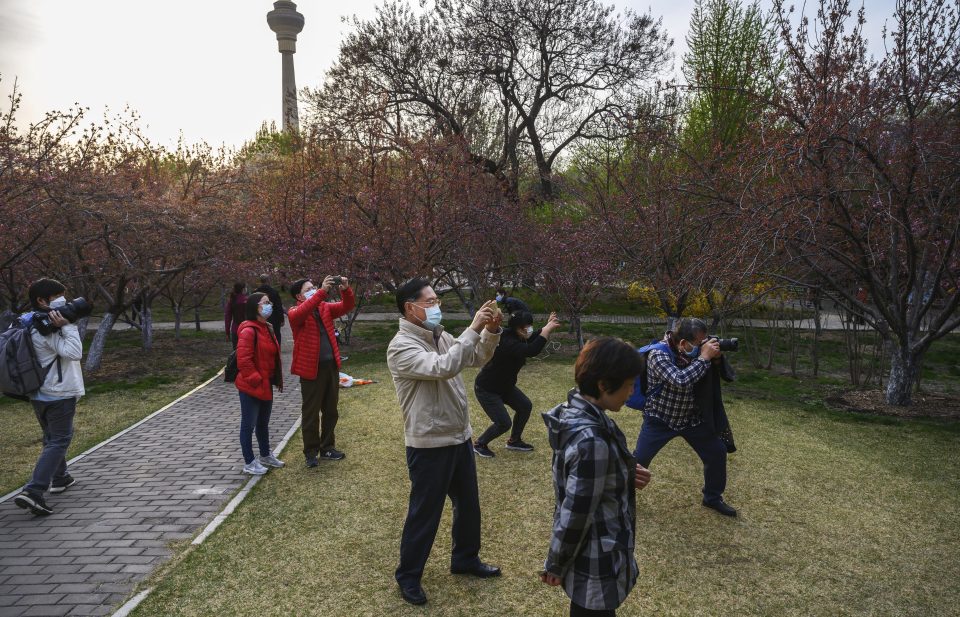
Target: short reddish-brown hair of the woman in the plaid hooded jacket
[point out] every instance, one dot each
(608, 361)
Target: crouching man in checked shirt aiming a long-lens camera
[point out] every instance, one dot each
(670, 410)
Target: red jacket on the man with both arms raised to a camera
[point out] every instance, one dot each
(306, 335)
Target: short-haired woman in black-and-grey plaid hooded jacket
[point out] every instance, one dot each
(595, 480)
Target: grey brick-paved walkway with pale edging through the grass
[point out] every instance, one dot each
(159, 482)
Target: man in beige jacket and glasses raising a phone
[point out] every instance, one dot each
(425, 363)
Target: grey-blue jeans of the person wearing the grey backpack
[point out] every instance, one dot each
(56, 421)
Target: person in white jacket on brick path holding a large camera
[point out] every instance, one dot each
(58, 346)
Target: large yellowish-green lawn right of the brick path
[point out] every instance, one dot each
(839, 516)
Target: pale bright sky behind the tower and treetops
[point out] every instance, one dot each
(208, 68)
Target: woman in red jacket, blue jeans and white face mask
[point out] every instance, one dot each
(259, 369)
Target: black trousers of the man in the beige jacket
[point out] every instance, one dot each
(435, 474)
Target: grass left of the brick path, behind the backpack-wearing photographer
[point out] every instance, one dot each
(131, 385)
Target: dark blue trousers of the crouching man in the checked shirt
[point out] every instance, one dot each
(655, 434)
